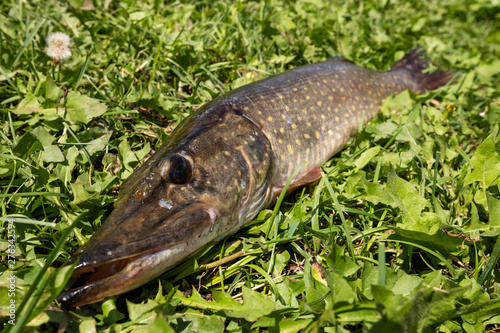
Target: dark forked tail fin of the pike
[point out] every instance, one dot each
(414, 63)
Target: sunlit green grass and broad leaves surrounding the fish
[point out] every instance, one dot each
(417, 191)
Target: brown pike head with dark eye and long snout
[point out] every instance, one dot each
(194, 190)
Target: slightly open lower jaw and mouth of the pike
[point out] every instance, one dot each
(105, 269)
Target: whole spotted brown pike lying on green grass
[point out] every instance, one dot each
(229, 160)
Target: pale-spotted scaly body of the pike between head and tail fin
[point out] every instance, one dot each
(309, 113)
